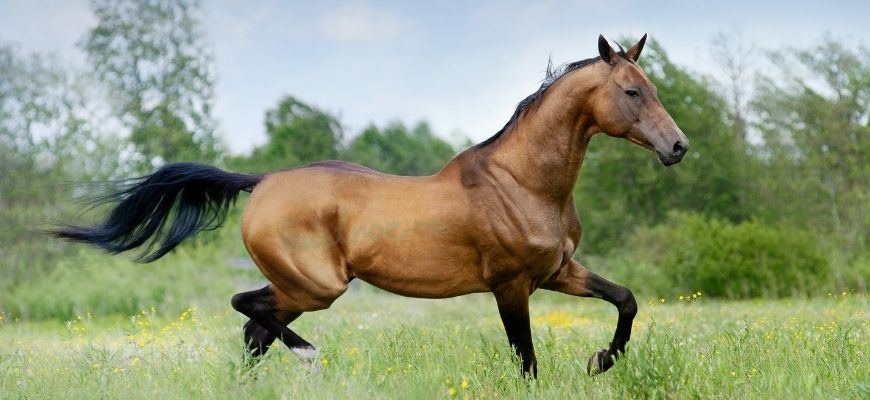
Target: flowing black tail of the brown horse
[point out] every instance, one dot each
(163, 209)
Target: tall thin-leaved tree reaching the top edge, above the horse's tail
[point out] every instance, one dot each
(152, 57)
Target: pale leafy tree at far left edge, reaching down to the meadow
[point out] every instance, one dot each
(47, 135)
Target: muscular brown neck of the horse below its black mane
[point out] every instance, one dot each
(544, 149)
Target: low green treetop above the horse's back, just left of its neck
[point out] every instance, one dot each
(398, 150)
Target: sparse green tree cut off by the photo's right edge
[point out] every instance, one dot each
(816, 130)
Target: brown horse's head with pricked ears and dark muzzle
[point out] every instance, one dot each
(625, 105)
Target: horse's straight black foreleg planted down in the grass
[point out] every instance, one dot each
(513, 307)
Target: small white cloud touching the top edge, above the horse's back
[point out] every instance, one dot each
(358, 22)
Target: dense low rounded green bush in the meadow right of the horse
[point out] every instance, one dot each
(744, 260)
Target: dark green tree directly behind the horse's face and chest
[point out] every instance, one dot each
(622, 187)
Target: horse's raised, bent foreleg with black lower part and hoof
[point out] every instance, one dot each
(576, 280)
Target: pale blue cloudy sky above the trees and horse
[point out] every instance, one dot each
(461, 66)
